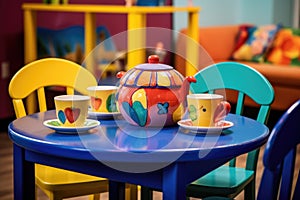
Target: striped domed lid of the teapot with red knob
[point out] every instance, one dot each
(152, 74)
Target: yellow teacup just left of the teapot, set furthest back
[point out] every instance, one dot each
(103, 98)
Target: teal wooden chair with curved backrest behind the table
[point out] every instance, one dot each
(229, 180)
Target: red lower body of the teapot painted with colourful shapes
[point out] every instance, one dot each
(145, 107)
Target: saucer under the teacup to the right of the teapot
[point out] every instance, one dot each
(187, 124)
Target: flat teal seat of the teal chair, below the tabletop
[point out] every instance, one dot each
(223, 181)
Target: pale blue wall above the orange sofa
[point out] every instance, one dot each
(218, 12)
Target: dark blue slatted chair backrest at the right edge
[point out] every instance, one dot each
(279, 158)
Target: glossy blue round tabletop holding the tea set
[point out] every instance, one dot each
(116, 140)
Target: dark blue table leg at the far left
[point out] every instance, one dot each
(24, 178)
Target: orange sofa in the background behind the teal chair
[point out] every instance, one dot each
(217, 45)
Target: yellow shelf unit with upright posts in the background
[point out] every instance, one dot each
(136, 20)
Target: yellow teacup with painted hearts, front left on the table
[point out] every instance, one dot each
(71, 110)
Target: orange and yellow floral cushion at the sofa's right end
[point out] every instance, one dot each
(285, 48)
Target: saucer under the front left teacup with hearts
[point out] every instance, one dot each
(55, 125)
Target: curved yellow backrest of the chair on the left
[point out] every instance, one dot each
(37, 75)
